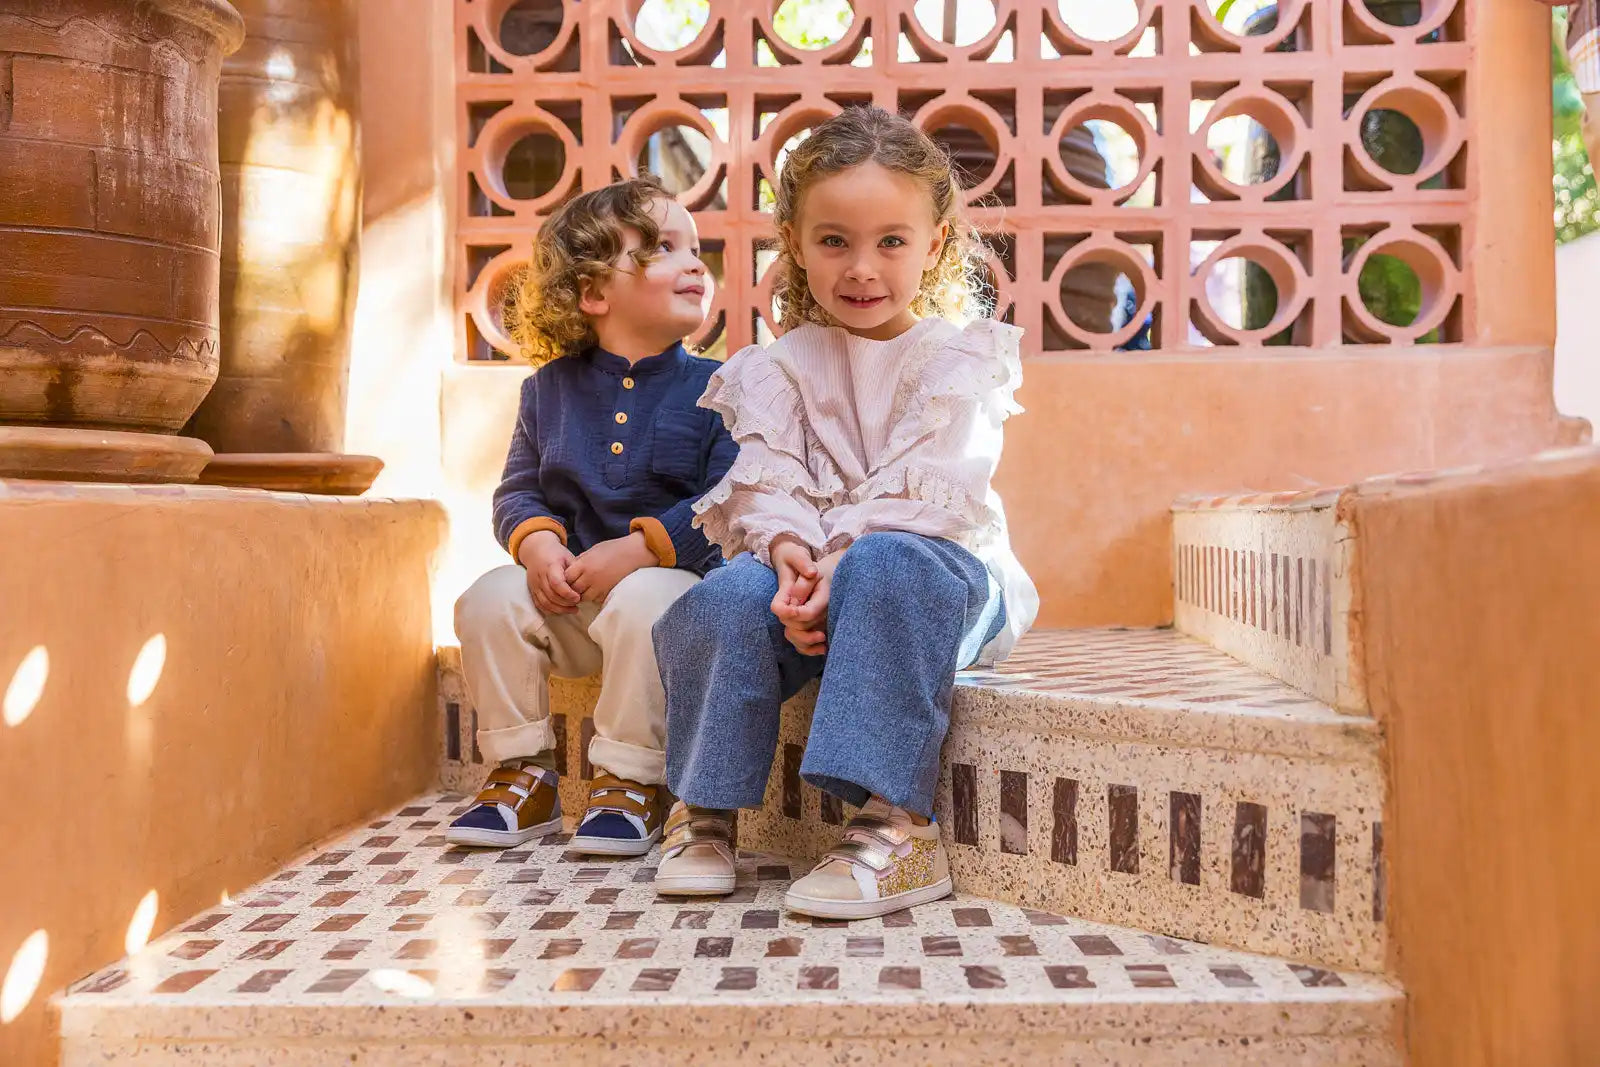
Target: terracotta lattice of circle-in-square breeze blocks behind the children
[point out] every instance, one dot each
(577, 87)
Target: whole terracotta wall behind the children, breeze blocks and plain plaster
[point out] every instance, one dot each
(1191, 327)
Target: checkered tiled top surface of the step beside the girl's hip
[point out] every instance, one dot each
(1151, 666)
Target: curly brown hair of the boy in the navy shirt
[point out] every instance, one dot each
(578, 246)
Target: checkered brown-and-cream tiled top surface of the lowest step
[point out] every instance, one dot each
(394, 916)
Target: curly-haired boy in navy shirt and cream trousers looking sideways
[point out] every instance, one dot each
(609, 457)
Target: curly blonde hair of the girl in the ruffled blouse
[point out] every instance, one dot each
(871, 135)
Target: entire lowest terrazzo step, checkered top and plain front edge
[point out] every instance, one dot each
(388, 948)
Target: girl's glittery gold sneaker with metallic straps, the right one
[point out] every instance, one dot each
(884, 863)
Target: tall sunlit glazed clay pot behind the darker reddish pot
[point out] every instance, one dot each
(290, 230)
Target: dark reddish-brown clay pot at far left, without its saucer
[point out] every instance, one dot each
(110, 215)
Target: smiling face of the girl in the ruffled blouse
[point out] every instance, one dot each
(865, 238)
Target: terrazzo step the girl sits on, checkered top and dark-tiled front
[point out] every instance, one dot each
(1142, 777)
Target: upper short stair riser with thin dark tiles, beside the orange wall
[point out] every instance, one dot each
(1273, 586)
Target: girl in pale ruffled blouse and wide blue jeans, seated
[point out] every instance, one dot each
(871, 548)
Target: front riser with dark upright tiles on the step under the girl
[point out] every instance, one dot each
(1321, 895)
